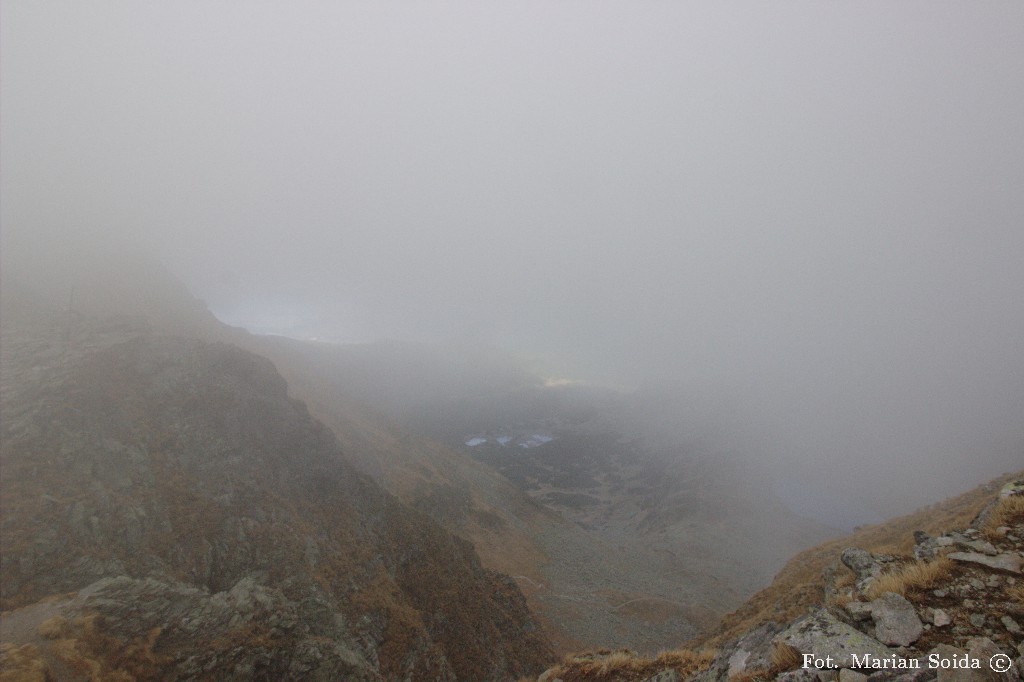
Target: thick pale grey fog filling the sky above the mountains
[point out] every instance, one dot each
(807, 217)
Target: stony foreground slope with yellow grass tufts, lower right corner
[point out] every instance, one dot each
(949, 610)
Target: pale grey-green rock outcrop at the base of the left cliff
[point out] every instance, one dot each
(250, 632)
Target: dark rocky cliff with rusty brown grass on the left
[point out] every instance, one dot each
(169, 511)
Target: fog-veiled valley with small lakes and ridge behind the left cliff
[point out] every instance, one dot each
(613, 530)
